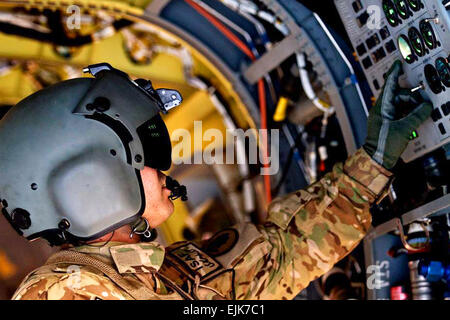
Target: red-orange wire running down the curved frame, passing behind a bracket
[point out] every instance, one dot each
(261, 90)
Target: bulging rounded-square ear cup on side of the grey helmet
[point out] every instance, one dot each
(85, 191)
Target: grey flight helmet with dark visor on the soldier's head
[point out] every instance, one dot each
(71, 155)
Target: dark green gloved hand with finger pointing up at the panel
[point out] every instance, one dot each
(388, 134)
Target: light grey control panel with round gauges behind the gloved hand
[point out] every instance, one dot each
(417, 32)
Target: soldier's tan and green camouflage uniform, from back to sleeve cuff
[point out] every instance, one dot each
(306, 233)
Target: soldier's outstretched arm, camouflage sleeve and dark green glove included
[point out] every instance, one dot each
(308, 231)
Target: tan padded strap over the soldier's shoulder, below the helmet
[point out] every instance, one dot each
(137, 290)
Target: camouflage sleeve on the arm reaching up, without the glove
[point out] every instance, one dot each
(308, 231)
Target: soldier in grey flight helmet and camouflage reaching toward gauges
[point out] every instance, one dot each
(80, 165)
